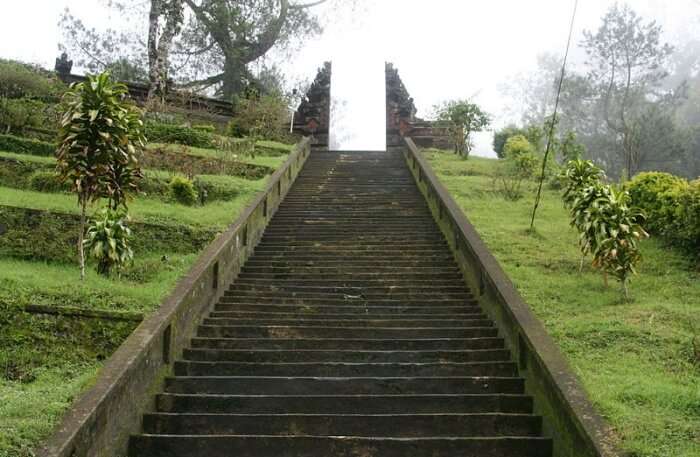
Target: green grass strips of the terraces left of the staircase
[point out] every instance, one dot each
(46, 361)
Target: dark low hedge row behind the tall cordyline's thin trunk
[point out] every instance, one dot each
(47, 235)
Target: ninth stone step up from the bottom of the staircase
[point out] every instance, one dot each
(362, 321)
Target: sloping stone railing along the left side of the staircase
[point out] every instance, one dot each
(100, 422)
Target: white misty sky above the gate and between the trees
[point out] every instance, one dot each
(443, 48)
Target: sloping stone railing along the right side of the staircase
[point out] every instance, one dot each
(569, 417)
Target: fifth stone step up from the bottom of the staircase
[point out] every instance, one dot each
(344, 369)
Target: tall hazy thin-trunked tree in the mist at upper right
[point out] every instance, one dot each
(627, 61)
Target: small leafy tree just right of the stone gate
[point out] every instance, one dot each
(463, 118)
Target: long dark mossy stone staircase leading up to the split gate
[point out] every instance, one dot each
(350, 332)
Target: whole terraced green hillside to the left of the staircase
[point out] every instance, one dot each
(54, 330)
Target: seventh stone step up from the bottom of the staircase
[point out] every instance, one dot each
(351, 344)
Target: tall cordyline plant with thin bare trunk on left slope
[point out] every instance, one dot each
(100, 137)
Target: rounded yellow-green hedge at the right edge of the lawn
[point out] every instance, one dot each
(671, 205)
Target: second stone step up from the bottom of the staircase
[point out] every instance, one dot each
(396, 425)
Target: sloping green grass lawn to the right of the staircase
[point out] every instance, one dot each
(636, 359)
